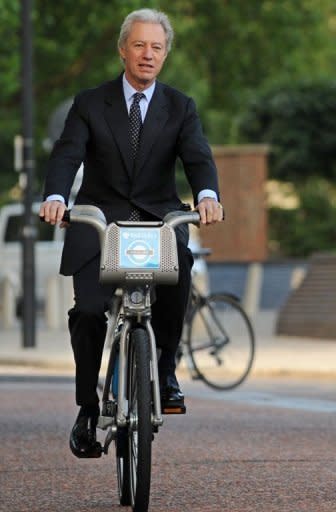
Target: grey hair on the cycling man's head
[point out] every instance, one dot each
(146, 16)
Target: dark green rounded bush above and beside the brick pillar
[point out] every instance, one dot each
(298, 120)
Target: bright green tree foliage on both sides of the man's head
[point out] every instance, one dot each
(224, 52)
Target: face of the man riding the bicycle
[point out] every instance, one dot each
(144, 54)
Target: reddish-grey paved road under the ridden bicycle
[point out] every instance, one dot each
(269, 446)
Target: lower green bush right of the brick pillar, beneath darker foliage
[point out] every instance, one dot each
(310, 227)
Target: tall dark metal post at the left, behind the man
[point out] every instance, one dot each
(28, 231)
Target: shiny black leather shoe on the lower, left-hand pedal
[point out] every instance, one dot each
(83, 441)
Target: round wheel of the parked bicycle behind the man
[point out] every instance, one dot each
(221, 341)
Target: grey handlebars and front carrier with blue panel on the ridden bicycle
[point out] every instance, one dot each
(113, 266)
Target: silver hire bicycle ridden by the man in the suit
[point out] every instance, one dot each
(135, 256)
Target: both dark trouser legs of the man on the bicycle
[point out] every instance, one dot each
(88, 322)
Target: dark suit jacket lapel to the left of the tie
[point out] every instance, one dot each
(116, 116)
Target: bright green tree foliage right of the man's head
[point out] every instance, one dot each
(241, 46)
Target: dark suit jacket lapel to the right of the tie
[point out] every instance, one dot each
(156, 117)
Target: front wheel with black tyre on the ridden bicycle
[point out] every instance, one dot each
(140, 426)
